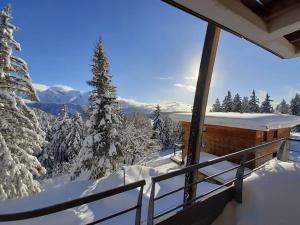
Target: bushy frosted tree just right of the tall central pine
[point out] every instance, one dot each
(136, 141)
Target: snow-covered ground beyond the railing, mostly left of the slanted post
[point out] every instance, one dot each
(59, 190)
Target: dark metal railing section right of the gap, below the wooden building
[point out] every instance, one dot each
(237, 181)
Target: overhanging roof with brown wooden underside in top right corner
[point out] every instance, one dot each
(271, 24)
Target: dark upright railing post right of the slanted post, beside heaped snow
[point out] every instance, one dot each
(238, 184)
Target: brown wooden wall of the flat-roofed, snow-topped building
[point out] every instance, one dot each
(223, 140)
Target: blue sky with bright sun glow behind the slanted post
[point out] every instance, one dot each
(154, 50)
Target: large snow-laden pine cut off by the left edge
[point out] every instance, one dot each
(20, 135)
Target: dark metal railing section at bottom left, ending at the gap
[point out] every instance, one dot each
(84, 200)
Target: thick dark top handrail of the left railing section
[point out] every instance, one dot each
(70, 204)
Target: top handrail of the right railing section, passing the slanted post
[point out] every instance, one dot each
(213, 161)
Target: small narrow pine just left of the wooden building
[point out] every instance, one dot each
(158, 126)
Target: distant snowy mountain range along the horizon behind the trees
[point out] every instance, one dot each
(52, 99)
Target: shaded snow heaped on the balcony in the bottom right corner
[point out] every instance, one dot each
(270, 196)
